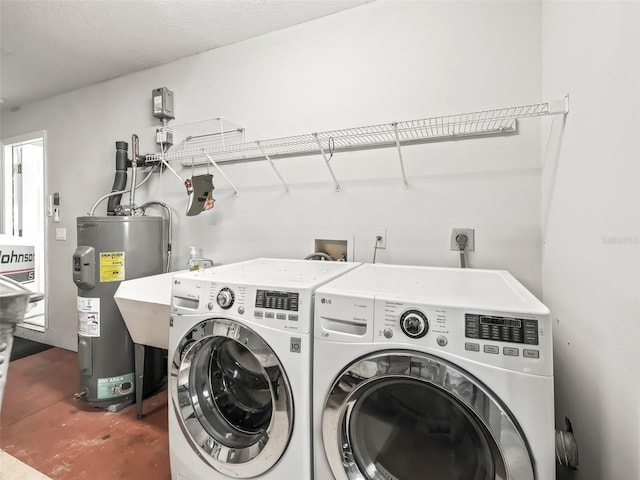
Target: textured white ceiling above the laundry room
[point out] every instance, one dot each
(50, 47)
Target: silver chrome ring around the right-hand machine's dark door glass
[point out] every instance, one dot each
(505, 441)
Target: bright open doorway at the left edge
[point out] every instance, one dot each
(22, 219)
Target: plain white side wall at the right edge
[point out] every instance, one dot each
(592, 244)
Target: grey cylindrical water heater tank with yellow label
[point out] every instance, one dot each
(110, 250)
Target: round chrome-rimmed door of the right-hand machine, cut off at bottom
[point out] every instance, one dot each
(411, 416)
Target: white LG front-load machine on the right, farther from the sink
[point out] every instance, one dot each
(432, 373)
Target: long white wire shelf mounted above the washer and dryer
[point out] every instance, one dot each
(223, 142)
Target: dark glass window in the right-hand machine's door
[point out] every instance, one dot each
(407, 429)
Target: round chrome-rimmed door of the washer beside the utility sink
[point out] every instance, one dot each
(232, 398)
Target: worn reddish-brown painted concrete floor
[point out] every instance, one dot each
(46, 429)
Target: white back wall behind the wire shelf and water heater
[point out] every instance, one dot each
(382, 62)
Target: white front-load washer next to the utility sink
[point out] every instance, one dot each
(240, 351)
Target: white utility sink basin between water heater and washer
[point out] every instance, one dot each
(145, 307)
